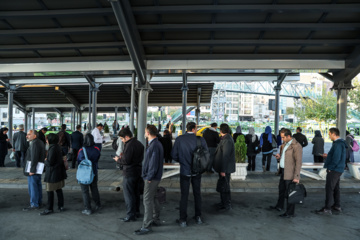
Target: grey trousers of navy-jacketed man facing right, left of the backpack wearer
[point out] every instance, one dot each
(151, 203)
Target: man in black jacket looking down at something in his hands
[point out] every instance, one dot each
(131, 160)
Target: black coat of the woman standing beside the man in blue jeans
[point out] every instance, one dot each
(54, 165)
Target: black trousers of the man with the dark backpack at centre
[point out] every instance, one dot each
(185, 186)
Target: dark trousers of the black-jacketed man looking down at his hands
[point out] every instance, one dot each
(131, 195)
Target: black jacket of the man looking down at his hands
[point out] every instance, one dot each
(132, 158)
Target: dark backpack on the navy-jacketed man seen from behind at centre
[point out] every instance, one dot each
(201, 159)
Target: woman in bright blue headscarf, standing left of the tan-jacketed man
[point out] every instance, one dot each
(266, 140)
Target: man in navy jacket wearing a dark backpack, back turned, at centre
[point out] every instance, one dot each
(183, 152)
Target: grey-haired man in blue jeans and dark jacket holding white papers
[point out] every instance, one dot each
(35, 154)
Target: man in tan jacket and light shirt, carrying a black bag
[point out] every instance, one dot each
(290, 166)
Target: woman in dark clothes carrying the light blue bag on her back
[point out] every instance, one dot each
(93, 154)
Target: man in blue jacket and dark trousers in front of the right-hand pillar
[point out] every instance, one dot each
(335, 165)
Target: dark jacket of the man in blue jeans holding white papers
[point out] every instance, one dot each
(35, 154)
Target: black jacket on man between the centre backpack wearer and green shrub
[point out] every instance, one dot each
(224, 160)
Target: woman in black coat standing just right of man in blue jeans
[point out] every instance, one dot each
(55, 174)
